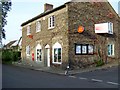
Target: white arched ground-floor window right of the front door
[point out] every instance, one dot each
(57, 55)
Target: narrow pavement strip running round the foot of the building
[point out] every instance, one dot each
(70, 72)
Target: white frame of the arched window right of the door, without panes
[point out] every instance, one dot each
(56, 46)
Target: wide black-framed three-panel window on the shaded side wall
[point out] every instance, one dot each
(82, 49)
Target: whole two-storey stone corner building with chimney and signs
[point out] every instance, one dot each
(76, 34)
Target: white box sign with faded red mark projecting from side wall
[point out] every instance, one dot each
(104, 28)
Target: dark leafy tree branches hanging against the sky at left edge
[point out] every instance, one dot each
(5, 6)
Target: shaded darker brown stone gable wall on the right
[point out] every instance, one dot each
(87, 14)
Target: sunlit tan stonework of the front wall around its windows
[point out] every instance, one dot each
(48, 36)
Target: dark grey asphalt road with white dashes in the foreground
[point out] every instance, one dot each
(17, 77)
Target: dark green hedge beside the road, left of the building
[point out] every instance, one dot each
(8, 56)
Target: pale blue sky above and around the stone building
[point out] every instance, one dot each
(23, 10)
